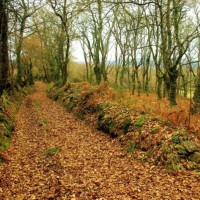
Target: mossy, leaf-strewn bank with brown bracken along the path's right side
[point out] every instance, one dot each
(133, 121)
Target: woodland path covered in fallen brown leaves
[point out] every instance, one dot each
(90, 164)
